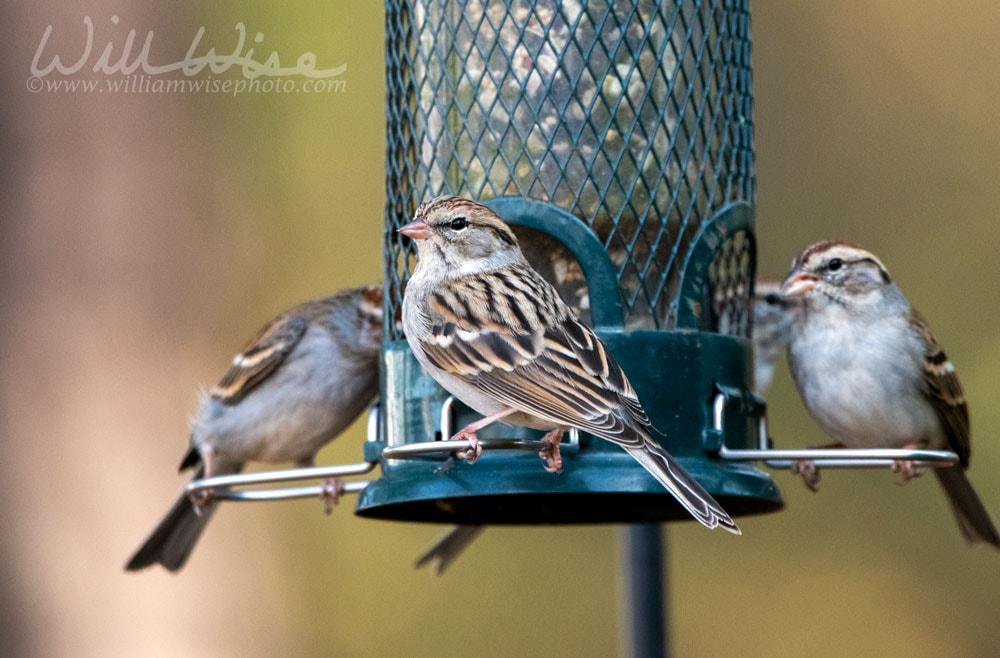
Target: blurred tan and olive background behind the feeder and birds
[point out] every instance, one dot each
(145, 237)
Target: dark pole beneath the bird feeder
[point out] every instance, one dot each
(644, 620)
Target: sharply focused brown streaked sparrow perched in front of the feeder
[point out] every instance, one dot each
(499, 338)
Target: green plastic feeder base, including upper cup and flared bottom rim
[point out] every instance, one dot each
(600, 483)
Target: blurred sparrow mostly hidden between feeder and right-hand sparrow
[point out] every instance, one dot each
(773, 315)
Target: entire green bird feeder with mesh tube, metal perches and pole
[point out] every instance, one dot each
(617, 138)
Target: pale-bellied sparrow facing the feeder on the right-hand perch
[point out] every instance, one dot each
(872, 373)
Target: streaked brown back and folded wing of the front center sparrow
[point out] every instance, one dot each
(522, 346)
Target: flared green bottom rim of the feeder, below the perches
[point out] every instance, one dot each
(592, 489)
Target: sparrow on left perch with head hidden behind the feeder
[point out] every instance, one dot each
(294, 387)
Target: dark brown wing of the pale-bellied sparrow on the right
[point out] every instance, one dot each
(945, 392)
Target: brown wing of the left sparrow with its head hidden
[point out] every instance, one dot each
(259, 358)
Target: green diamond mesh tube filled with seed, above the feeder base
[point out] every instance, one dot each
(633, 116)
